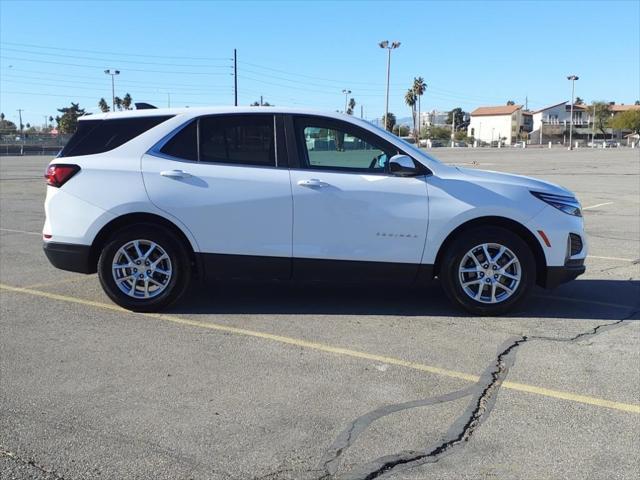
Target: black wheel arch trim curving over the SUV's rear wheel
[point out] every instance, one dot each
(139, 218)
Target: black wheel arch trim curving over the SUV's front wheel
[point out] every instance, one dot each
(495, 221)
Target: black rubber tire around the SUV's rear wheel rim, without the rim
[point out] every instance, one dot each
(175, 286)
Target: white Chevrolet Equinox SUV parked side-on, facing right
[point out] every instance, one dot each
(152, 198)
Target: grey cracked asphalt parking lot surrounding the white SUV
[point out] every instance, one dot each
(264, 382)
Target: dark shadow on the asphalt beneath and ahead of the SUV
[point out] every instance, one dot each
(580, 299)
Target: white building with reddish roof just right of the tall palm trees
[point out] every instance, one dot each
(490, 124)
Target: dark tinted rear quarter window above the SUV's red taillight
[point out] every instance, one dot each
(98, 136)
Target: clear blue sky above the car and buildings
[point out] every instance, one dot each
(304, 54)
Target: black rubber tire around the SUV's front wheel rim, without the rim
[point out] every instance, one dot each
(466, 241)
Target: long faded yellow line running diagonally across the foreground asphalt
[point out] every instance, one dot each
(522, 387)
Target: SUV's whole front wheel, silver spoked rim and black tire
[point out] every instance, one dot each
(488, 271)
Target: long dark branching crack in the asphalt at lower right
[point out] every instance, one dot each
(484, 398)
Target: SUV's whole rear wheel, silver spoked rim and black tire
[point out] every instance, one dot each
(144, 268)
